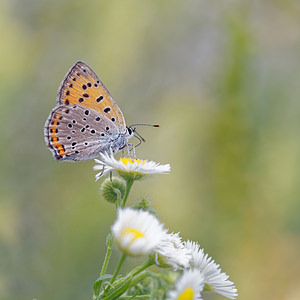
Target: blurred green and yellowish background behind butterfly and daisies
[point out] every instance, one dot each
(222, 80)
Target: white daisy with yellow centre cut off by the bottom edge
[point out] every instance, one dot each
(188, 287)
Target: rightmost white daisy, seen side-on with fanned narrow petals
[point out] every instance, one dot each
(214, 278)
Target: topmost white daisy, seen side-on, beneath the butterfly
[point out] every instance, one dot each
(128, 167)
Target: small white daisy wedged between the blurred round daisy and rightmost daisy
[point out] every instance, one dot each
(171, 252)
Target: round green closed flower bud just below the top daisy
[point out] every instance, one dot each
(113, 189)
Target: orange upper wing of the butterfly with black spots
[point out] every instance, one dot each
(82, 86)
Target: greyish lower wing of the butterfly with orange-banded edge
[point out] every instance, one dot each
(78, 133)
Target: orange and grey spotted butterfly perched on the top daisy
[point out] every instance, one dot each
(86, 120)
